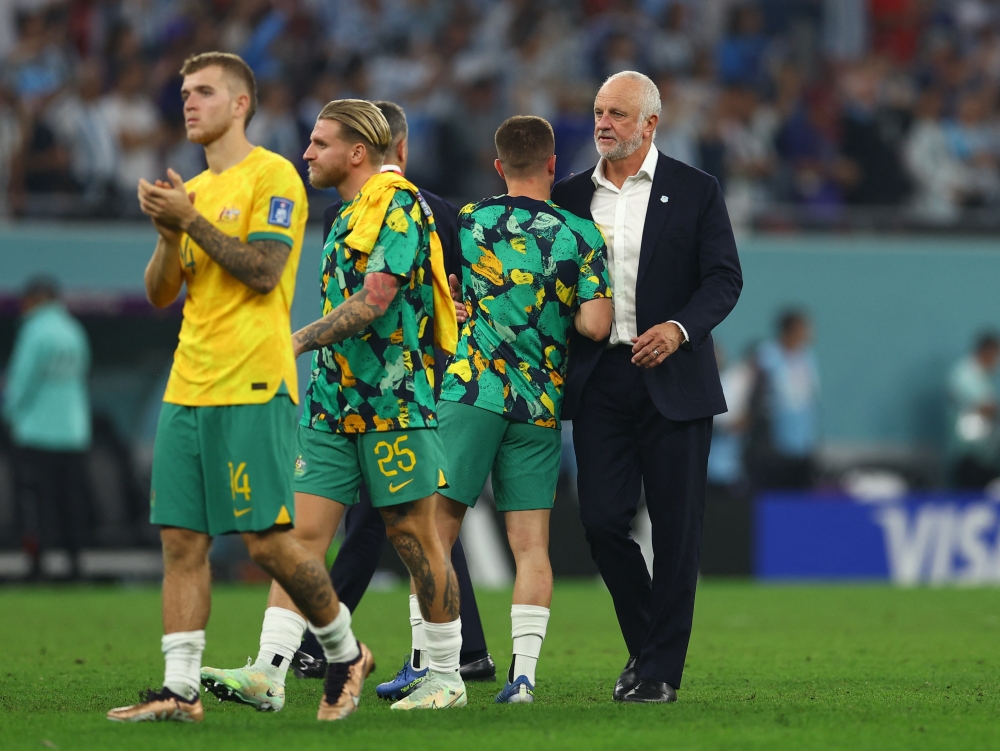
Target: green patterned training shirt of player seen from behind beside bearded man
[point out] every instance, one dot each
(527, 265)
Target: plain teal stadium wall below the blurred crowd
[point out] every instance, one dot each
(892, 314)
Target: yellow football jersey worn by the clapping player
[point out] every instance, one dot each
(235, 344)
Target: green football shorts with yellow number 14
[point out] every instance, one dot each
(224, 469)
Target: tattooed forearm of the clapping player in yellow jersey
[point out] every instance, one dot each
(258, 264)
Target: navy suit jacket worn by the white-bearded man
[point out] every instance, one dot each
(689, 272)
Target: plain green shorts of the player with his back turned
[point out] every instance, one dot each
(523, 458)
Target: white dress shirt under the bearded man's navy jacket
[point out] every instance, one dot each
(621, 215)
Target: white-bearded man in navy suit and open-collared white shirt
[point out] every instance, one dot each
(642, 402)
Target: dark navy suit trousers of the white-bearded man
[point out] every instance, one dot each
(624, 445)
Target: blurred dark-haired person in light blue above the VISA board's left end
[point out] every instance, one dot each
(789, 390)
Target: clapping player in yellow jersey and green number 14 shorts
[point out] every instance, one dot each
(225, 444)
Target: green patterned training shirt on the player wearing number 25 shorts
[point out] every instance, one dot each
(381, 378)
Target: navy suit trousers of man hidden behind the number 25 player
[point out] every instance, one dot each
(358, 559)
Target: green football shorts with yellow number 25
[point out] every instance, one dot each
(396, 466)
